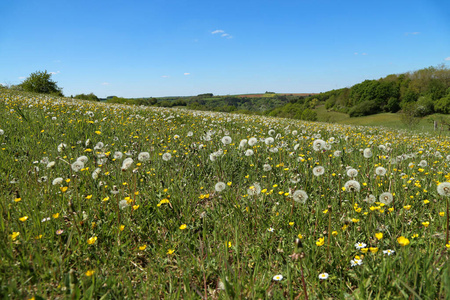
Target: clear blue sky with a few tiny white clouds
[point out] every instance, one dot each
(164, 47)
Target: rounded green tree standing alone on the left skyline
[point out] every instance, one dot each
(40, 82)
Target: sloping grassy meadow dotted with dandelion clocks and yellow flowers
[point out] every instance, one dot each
(112, 201)
